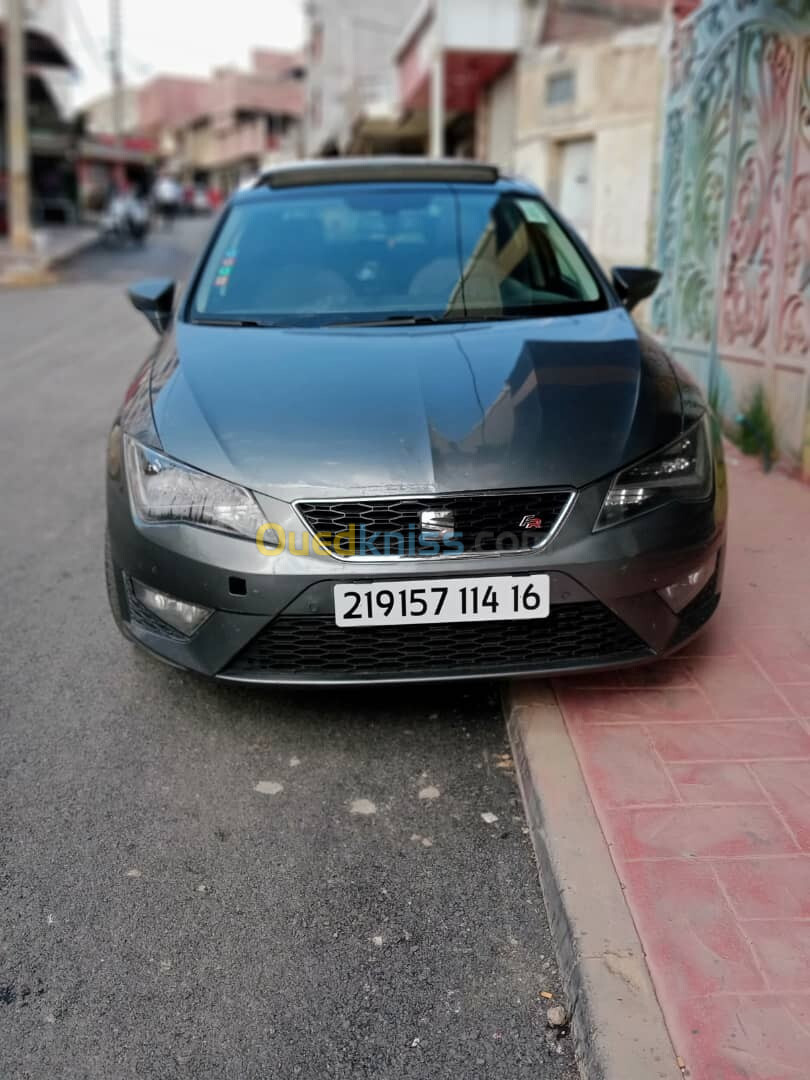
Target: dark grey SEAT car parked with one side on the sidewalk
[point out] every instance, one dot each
(401, 426)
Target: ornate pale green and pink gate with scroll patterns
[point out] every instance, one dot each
(734, 237)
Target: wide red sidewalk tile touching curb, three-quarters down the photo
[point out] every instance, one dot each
(692, 832)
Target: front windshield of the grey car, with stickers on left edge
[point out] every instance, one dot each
(403, 253)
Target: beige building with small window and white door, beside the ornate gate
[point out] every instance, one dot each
(578, 114)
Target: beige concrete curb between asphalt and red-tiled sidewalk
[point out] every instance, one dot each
(617, 1022)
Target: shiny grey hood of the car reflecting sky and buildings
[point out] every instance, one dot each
(317, 413)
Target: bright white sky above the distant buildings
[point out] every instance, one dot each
(184, 37)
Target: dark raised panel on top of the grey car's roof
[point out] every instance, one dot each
(380, 170)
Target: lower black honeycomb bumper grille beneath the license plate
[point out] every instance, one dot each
(573, 636)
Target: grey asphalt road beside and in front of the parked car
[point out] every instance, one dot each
(206, 882)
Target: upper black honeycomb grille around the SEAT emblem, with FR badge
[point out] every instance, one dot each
(482, 523)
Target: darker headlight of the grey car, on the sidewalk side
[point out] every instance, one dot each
(683, 471)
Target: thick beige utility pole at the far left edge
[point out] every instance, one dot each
(17, 129)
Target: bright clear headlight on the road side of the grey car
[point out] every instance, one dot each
(165, 491)
